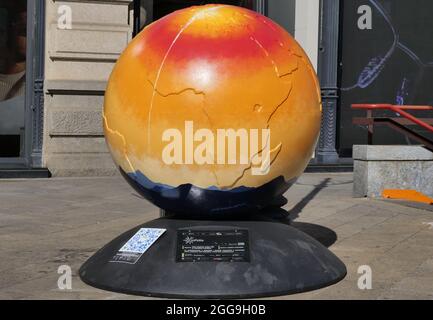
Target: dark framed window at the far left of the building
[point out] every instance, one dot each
(21, 84)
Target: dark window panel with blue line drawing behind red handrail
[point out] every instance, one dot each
(391, 62)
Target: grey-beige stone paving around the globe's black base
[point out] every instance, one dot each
(53, 222)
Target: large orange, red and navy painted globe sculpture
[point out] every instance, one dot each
(212, 109)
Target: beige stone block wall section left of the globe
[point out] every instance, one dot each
(78, 62)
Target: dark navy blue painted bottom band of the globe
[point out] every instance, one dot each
(192, 201)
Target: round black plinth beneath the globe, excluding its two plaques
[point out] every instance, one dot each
(283, 260)
